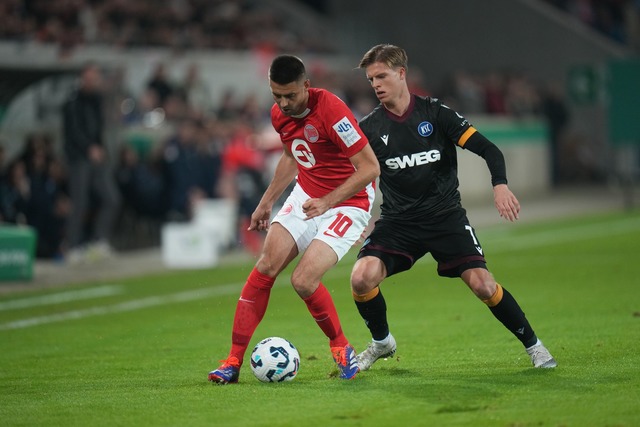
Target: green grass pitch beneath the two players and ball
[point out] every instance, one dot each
(136, 352)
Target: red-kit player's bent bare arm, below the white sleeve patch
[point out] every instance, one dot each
(367, 170)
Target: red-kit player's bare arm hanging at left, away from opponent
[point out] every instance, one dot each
(285, 173)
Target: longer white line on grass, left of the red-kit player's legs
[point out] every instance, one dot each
(124, 306)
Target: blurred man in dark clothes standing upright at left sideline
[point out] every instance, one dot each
(89, 168)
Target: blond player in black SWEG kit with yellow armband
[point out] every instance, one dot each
(415, 140)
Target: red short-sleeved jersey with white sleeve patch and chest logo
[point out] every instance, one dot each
(321, 141)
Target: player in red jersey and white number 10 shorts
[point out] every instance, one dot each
(325, 214)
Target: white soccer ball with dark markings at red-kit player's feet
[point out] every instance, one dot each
(275, 359)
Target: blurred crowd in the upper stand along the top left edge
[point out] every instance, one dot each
(178, 24)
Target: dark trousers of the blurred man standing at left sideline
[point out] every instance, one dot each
(87, 179)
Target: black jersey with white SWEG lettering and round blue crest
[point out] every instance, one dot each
(417, 155)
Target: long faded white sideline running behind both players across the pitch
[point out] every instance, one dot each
(508, 243)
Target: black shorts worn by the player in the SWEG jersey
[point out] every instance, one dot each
(449, 238)
